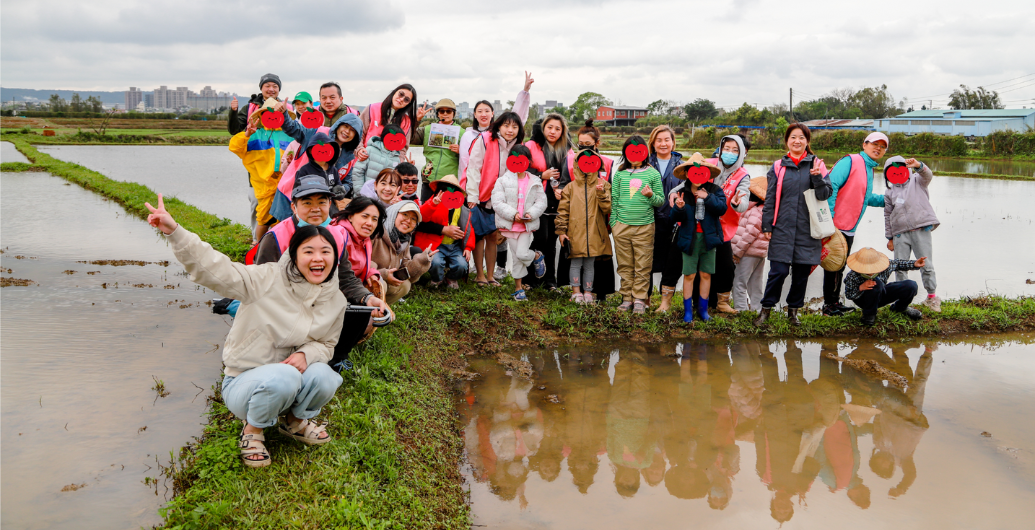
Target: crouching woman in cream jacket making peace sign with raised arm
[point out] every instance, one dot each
(285, 333)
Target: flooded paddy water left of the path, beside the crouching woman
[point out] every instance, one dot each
(82, 427)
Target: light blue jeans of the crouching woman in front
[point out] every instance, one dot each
(260, 396)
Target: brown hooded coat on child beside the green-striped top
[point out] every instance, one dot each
(583, 217)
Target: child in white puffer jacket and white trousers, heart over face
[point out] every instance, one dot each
(519, 201)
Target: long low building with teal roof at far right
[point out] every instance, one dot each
(981, 123)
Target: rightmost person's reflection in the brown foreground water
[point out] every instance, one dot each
(902, 424)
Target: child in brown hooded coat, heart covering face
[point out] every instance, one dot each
(582, 224)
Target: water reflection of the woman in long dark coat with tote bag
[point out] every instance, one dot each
(788, 411)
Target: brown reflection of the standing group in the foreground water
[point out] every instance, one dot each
(638, 421)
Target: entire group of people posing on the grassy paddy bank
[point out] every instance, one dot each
(336, 196)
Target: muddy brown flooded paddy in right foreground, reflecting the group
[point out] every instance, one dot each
(753, 434)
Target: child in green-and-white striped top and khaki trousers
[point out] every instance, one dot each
(633, 207)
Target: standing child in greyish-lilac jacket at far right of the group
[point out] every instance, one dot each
(909, 219)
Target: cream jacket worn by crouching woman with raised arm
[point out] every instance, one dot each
(278, 317)
